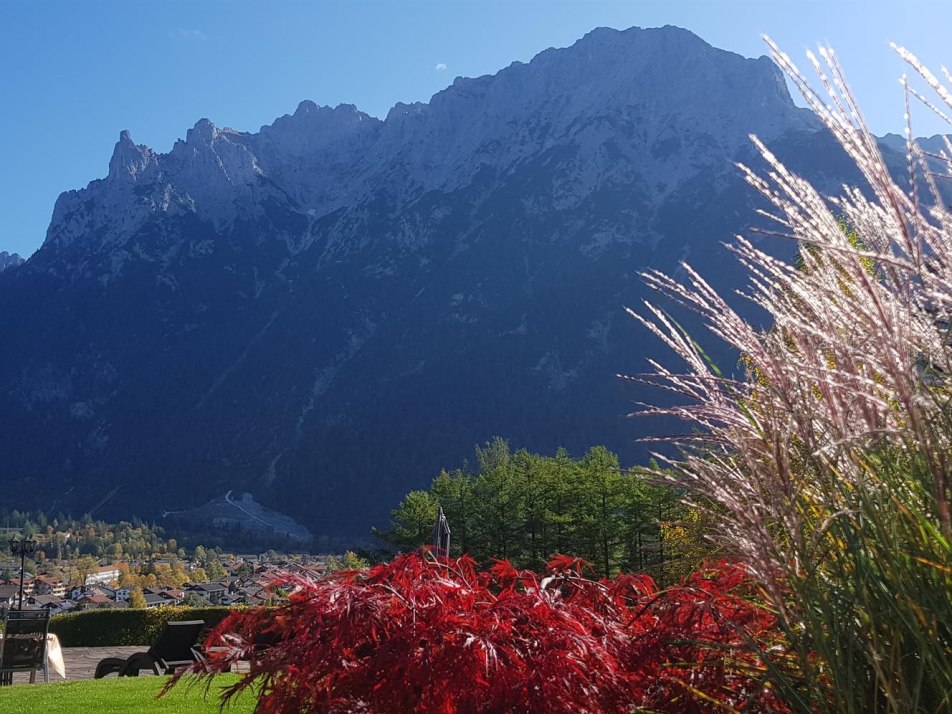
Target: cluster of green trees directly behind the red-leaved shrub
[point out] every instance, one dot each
(526, 507)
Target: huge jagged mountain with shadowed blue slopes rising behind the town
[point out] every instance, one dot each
(327, 311)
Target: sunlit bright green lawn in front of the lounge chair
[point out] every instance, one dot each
(118, 696)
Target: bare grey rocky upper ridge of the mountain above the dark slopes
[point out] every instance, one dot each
(663, 99)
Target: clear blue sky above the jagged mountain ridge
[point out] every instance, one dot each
(73, 74)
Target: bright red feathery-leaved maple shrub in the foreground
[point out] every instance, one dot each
(437, 635)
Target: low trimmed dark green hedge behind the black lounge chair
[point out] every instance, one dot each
(115, 627)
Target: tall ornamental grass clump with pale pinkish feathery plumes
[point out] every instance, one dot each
(827, 461)
